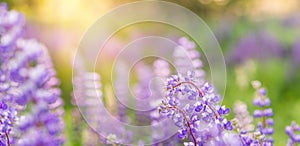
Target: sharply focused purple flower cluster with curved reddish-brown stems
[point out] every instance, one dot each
(196, 111)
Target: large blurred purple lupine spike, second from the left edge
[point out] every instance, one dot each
(40, 90)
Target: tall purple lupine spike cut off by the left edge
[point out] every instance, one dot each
(10, 31)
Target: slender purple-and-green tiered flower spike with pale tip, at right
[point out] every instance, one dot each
(264, 112)
